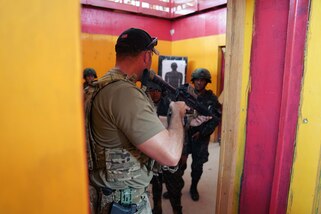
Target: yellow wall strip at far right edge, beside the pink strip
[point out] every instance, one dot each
(305, 185)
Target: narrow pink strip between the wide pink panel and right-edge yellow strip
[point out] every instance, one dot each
(293, 71)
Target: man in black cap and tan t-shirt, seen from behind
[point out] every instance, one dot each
(127, 133)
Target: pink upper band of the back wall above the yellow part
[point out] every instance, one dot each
(103, 21)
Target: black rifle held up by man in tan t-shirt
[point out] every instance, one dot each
(185, 93)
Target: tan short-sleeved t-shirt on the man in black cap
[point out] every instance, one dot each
(123, 117)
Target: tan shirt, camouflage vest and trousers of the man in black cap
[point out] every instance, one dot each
(122, 117)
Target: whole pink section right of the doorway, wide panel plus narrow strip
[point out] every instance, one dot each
(276, 72)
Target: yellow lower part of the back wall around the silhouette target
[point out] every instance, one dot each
(98, 52)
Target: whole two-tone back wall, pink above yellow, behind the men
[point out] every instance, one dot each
(197, 37)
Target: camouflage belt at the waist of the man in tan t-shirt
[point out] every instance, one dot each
(124, 196)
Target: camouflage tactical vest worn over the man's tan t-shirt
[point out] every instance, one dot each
(120, 164)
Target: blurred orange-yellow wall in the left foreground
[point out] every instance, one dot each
(42, 153)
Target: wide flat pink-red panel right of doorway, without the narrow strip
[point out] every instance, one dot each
(264, 103)
